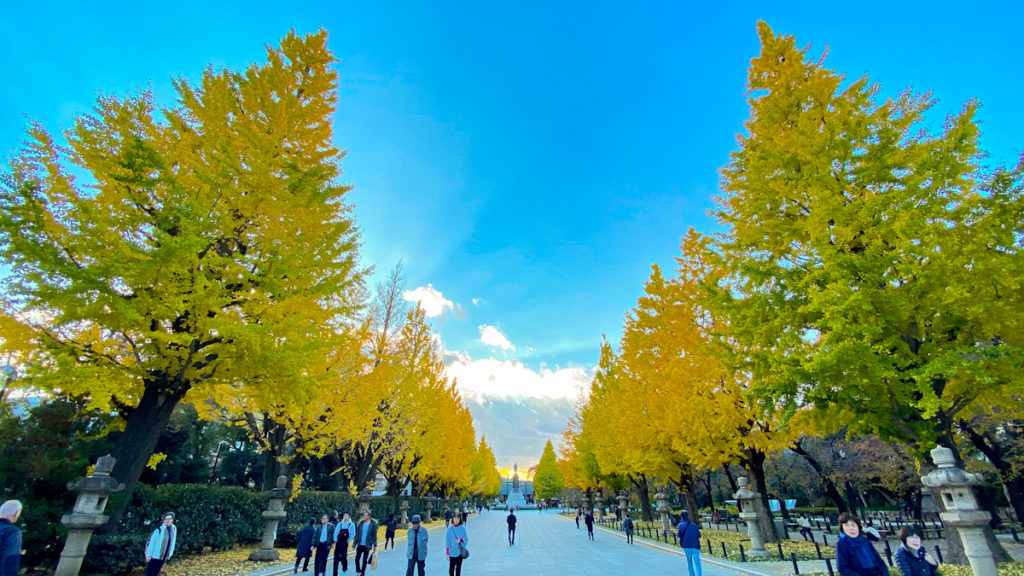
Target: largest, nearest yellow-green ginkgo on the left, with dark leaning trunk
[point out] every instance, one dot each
(164, 252)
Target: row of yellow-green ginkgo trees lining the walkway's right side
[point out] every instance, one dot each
(868, 275)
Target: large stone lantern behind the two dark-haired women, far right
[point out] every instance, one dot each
(955, 488)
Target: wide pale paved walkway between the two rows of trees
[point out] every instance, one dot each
(546, 545)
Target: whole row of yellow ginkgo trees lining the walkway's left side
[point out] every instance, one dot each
(206, 253)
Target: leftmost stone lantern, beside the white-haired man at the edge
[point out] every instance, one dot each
(94, 491)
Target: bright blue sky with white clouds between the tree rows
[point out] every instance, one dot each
(530, 161)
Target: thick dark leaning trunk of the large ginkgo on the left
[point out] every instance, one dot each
(134, 449)
